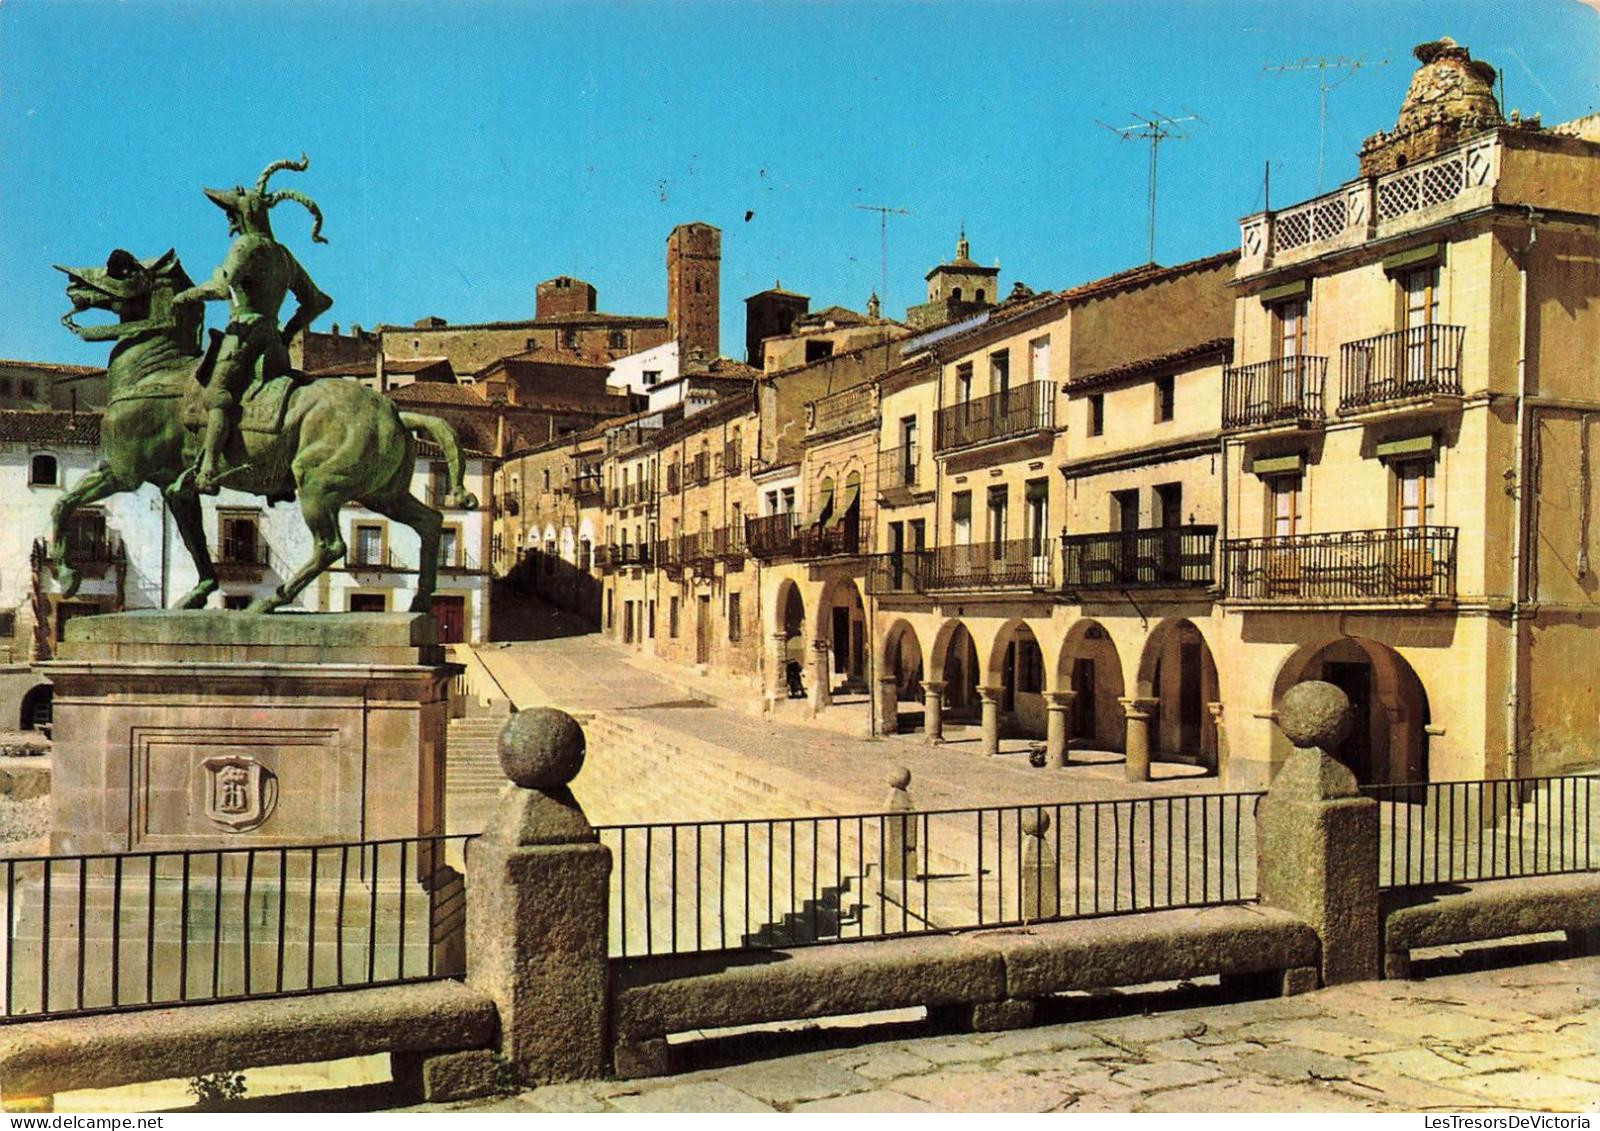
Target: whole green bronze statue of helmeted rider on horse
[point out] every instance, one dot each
(238, 415)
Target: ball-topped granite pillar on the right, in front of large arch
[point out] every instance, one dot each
(1318, 837)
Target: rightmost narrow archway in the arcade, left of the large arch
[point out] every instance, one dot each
(1178, 674)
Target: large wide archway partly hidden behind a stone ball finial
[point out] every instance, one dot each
(1390, 738)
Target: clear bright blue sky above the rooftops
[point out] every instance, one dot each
(465, 151)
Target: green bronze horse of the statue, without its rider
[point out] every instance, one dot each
(334, 441)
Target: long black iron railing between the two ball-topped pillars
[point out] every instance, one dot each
(785, 882)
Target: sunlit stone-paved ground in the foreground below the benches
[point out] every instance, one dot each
(1510, 1039)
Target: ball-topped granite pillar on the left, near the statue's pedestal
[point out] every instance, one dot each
(537, 921)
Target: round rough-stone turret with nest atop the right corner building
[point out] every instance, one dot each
(1452, 97)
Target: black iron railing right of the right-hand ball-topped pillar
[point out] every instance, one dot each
(1468, 831)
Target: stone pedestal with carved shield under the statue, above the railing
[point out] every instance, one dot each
(222, 730)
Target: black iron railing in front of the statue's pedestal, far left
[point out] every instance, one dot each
(137, 930)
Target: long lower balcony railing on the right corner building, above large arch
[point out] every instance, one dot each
(1351, 565)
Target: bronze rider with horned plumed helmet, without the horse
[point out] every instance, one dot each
(254, 279)
